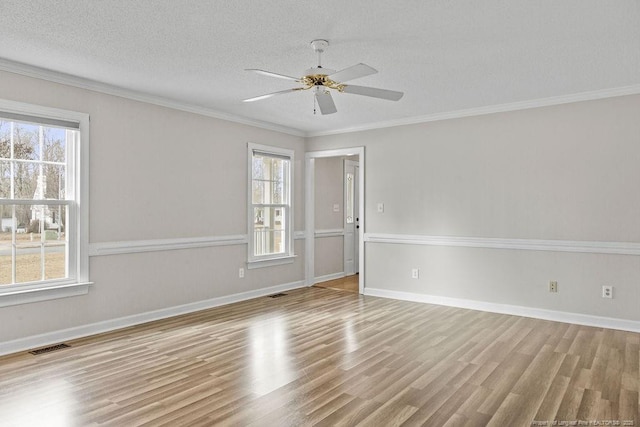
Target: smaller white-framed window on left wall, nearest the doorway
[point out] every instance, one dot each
(270, 205)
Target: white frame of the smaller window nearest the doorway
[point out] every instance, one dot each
(254, 261)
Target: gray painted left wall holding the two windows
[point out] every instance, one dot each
(156, 173)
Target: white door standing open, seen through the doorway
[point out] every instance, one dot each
(351, 218)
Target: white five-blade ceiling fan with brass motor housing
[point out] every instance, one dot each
(322, 79)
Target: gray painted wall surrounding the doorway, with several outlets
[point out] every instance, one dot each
(566, 172)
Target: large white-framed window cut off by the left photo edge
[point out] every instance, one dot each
(42, 239)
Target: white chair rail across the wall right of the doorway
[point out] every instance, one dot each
(619, 248)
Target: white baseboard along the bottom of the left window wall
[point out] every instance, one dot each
(55, 337)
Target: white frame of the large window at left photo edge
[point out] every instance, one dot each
(77, 282)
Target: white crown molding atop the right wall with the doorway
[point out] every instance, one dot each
(490, 109)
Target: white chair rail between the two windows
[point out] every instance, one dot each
(135, 246)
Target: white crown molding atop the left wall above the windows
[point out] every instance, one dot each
(82, 83)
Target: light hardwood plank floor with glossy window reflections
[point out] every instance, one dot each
(324, 357)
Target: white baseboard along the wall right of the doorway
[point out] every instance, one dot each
(516, 310)
